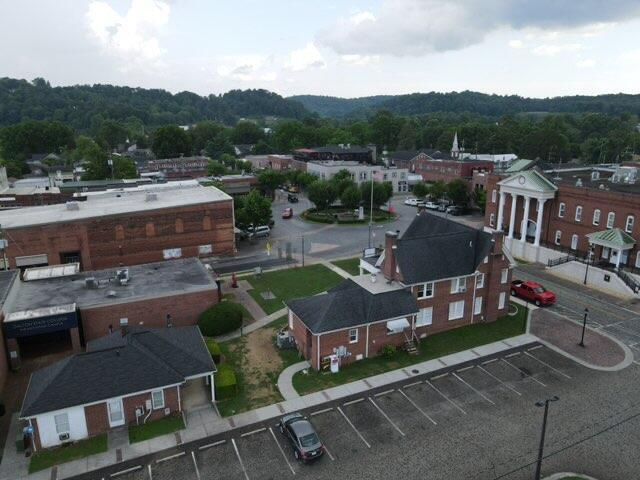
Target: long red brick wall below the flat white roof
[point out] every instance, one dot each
(102, 247)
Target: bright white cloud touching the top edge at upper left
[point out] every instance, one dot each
(132, 35)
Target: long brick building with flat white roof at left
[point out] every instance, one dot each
(122, 228)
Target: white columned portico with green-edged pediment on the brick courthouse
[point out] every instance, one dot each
(531, 186)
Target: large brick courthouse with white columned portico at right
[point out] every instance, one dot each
(567, 210)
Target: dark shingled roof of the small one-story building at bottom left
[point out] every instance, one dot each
(115, 365)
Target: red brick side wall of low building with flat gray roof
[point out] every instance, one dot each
(185, 310)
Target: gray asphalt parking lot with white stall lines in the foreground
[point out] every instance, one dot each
(477, 421)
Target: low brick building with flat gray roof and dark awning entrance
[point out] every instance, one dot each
(59, 308)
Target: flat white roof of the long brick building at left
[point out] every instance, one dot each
(109, 204)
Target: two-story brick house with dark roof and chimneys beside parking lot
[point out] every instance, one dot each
(439, 275)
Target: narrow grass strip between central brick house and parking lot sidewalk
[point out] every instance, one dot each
(434, 346)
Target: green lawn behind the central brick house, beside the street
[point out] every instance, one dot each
(291, 283)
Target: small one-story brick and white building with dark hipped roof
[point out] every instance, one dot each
(134, 378)
